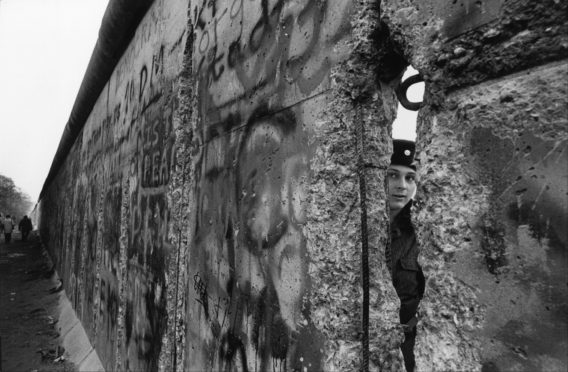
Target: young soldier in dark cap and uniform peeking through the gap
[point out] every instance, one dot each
(402, 254)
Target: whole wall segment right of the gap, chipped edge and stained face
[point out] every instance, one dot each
(493, 141)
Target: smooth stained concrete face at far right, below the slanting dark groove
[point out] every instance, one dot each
(522, 273)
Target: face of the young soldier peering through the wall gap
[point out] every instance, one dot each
(401, 186)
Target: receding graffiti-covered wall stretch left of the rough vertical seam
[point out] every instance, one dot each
(105, 216)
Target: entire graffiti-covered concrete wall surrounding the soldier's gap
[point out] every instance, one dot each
(208, 215)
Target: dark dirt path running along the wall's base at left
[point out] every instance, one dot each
(29, 340)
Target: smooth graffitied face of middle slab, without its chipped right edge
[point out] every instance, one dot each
(257, 62)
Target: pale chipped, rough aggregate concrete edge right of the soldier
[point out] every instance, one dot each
(449, 201)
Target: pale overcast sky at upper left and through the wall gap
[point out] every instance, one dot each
(45, 46)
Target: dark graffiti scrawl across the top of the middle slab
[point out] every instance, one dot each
(265, 49)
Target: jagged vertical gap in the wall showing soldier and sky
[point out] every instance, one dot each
(402, 254)
